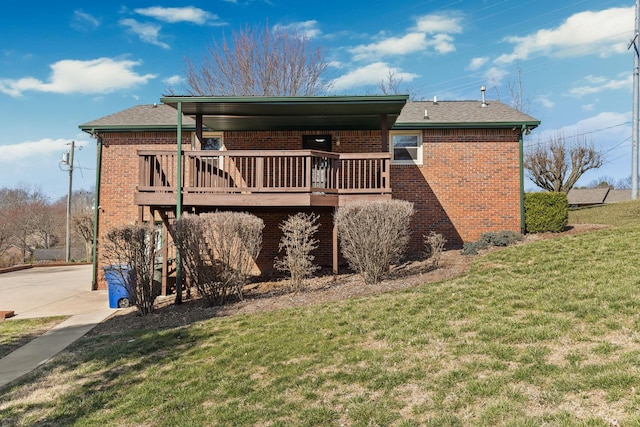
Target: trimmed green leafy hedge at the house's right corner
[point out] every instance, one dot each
(546, 212)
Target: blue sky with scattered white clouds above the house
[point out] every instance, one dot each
(67, 63)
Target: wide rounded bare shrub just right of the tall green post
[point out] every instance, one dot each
(218, 252)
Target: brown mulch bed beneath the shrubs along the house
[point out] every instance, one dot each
(276, 294)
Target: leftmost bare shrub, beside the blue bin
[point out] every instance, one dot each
(131, 251)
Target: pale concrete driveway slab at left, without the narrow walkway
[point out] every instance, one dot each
(50, 291)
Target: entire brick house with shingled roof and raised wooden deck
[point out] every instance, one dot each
(459, 162)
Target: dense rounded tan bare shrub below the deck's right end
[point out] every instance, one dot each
(374, 235)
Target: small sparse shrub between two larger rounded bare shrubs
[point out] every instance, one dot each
(298, 242)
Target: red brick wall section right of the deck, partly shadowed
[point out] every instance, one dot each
(468, 184)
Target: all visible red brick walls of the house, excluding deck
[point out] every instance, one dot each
(468, 183)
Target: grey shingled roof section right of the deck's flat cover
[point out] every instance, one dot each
(424, 114)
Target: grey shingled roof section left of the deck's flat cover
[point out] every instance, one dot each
(140, 117)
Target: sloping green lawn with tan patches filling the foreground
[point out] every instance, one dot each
(538, 334)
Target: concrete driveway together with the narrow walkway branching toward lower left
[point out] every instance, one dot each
(45, 292)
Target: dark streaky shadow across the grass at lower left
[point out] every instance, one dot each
(97, 370)
